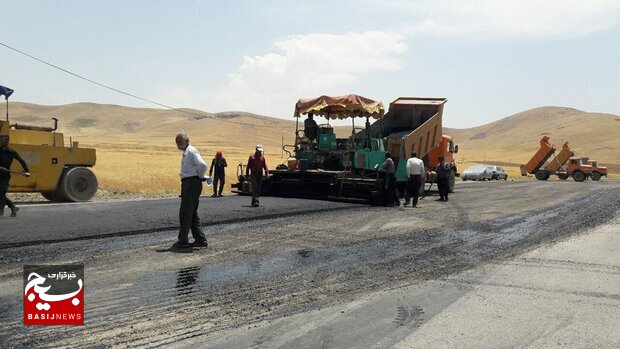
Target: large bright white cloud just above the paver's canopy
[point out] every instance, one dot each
(305, 65)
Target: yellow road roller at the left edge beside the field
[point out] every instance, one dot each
(58, 172)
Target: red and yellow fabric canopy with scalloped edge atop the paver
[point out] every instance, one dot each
(340, 107)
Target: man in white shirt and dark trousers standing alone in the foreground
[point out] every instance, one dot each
(193, 169)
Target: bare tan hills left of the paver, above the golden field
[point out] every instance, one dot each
(96, 123)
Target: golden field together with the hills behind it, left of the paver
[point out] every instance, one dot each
(135, 146)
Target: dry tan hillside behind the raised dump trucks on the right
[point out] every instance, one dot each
(514, 139)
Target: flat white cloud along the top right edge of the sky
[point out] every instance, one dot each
(506, 19)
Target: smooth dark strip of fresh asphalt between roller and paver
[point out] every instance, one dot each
(38, 224)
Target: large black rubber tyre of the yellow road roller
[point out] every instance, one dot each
(78, 184)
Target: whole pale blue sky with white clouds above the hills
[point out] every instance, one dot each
(490, 59)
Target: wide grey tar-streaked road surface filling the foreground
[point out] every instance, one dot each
(502, 264)
